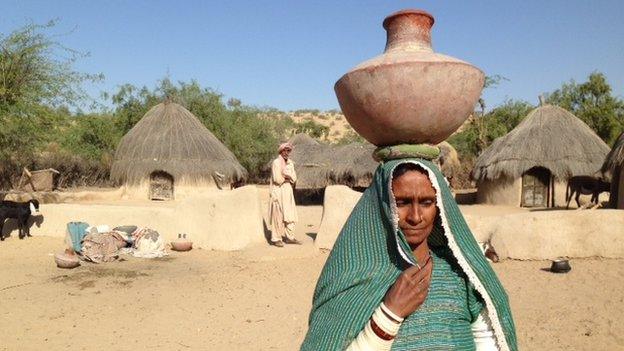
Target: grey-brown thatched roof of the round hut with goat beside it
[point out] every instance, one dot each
(548, 137)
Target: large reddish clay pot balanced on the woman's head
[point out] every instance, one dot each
(409, 94)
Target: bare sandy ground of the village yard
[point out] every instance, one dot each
(259, 299)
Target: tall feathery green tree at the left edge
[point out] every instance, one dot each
(37, 83)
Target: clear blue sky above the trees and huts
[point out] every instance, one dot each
(288, 54)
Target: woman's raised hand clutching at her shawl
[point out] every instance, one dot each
(409, 290)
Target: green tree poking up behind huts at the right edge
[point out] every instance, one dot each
(592, 102)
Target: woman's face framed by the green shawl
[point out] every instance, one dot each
(416, 203)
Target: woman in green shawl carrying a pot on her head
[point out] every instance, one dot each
(407, 274)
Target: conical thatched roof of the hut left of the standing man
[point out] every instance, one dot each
(172, 139)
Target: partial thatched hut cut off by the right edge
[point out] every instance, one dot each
(613, 168)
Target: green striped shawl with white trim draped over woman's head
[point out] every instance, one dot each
(370, 253)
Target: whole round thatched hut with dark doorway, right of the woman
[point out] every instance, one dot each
(530, 165)
